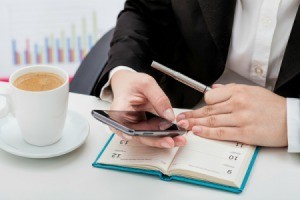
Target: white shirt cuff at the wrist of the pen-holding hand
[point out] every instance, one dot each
(293, 124)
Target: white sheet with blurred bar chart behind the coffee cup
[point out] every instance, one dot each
(52, 32)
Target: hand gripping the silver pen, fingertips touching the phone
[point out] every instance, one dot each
(247, 114)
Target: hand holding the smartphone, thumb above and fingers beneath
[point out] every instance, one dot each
(140, 92)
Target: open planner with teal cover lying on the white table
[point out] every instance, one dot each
(218, 164)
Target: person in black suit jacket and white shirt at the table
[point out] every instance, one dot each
(254, 38)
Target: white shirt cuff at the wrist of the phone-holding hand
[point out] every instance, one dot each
(106, 93)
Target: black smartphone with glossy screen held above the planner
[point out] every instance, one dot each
(139, 123)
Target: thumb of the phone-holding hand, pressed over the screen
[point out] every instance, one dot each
(159, 100)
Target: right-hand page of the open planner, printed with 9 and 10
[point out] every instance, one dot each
(214, 161)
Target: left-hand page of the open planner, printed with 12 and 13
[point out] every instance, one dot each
(133, 154)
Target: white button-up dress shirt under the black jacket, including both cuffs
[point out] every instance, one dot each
(260, 33)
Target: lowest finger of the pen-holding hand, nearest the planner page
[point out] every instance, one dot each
(220, 133)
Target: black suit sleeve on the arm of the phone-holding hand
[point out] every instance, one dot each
(144, 32)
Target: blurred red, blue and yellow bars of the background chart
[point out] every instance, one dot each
(69, 47)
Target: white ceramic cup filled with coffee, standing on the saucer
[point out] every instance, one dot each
(40, 114)
